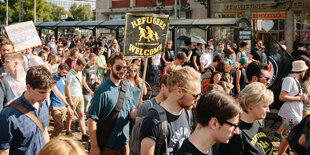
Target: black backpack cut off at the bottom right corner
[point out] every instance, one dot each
(294, 136)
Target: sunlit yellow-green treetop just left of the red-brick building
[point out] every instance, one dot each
(81, 12)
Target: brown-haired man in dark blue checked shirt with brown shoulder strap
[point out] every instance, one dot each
(19, 134)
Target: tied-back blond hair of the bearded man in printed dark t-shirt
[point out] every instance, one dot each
(182, 77)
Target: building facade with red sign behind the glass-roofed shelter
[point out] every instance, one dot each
(284, 19)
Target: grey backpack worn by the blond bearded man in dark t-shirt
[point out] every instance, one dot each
(134, 141)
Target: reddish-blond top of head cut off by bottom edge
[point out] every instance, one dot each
(62, 146)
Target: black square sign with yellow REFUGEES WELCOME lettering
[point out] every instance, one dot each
(145, 35)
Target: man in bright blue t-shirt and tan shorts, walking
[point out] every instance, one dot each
(58, 108)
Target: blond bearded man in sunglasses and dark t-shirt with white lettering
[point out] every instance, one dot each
(183, 95)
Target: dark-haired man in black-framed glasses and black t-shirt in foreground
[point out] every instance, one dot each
(217, 116)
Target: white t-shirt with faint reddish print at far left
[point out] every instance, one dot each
(14, 87)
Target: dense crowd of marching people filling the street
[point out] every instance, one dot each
(214, 98)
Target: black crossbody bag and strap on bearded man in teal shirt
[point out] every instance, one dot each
(107, 125)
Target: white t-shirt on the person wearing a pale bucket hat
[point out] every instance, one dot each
(291, 110)
